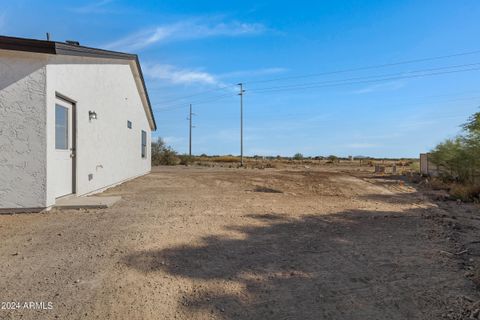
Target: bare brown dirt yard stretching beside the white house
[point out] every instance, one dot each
(214, 243)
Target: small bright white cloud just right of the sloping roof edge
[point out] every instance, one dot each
(176, 75)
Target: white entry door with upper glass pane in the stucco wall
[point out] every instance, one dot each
(64, 151)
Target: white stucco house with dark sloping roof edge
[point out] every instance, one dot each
(73, 121)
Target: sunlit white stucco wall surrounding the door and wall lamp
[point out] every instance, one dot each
(106, 148)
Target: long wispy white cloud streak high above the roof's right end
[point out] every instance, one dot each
(187, 30)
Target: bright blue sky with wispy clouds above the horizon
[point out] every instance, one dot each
(198, 51)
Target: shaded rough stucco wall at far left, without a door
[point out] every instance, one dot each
(22, 130)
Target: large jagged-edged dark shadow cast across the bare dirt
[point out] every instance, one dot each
(350, 265)
